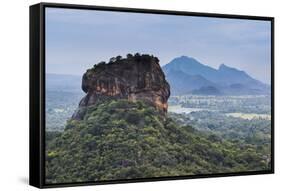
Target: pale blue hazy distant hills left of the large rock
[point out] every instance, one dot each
(64, 82)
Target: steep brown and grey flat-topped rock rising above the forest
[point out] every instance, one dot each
(137, 77)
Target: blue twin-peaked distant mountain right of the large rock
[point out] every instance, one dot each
(187, 75)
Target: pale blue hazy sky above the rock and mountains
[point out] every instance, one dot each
(78, 39)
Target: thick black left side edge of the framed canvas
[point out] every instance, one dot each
(35, 65)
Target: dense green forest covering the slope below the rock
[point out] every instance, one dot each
(125, 140)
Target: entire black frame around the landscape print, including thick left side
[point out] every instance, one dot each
(37, 93)
